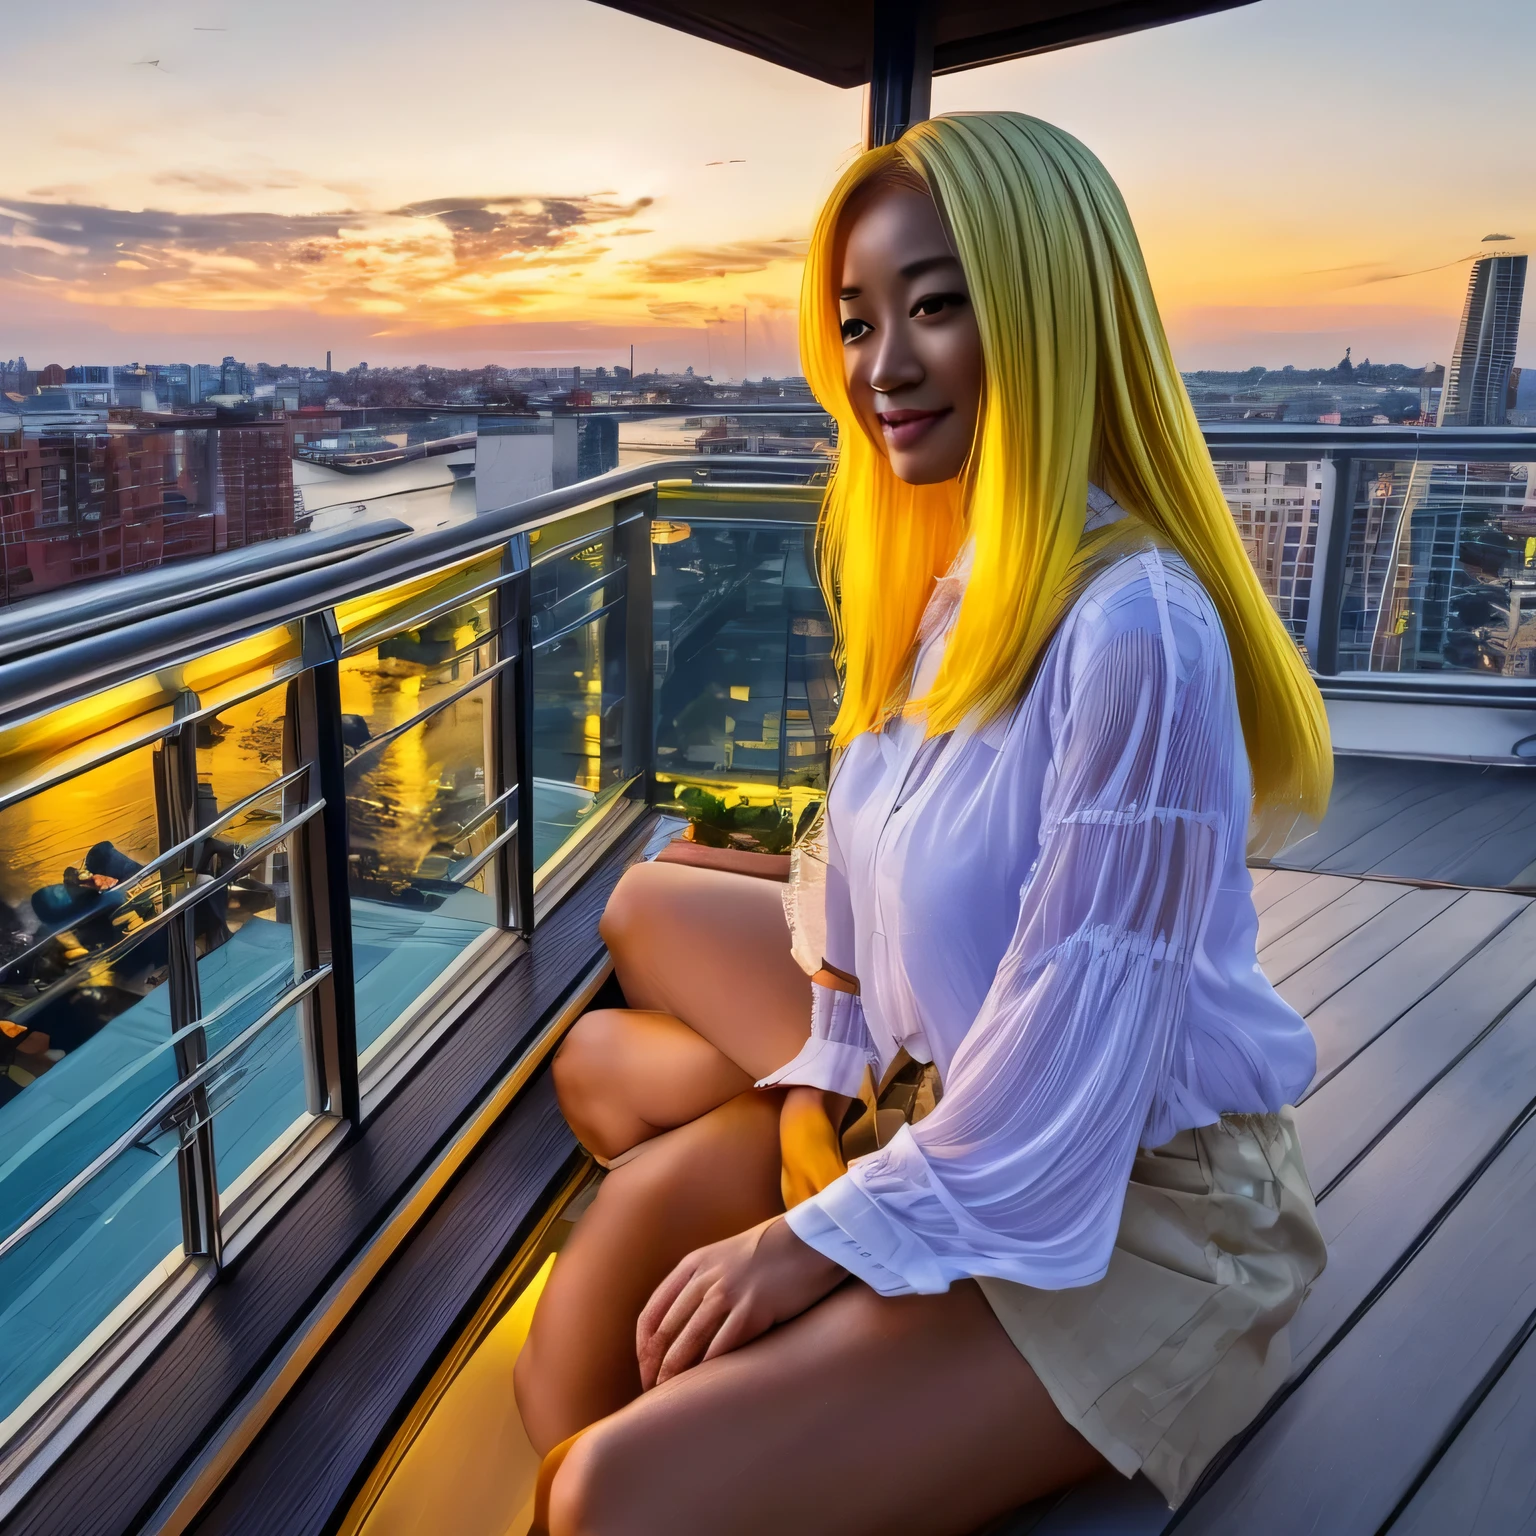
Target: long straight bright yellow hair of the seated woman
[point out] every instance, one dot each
(1081, 385)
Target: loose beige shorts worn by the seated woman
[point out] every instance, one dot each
(1183, 1342)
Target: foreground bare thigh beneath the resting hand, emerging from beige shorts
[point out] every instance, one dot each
(866, 1415)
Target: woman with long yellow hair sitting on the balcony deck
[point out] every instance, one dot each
(1054, 657)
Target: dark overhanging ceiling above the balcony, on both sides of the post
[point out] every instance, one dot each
(830, 39)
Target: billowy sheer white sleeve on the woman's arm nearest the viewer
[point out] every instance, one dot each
(1022, 1170)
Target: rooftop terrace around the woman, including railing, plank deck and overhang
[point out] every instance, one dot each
(280, 1125)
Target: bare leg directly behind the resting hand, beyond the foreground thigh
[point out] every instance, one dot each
(718, 1176)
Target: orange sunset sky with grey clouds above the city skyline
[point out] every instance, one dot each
(518, 182)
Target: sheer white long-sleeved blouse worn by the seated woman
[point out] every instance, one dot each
(1056, 910)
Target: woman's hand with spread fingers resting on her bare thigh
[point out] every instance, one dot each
(726, 1296)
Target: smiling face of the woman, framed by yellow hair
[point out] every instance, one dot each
(912, 348)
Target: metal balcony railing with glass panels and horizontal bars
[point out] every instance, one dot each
(260, 844)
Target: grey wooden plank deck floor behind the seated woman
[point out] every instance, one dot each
(1412, 1400)
